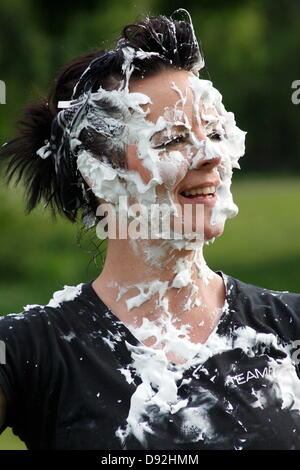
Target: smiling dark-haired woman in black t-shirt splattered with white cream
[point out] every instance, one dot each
(159, 351)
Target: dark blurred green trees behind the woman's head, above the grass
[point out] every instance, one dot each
(251, 50)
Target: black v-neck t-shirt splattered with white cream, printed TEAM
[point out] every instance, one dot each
(74, 378)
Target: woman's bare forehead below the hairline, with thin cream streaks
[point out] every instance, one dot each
(166, 91)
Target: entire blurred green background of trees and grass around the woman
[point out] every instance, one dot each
(252, 56)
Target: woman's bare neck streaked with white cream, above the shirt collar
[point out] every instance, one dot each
(150, 278)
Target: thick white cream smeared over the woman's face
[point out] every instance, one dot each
(109, 183)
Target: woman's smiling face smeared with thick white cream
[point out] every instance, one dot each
(180, 144)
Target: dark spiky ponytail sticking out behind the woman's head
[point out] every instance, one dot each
(39, 175)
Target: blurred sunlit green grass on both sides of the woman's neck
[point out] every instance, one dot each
(260, 246)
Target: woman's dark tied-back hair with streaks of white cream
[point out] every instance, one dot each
(57, 181)
